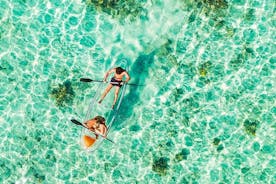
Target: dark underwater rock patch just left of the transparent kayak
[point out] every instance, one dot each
(63, 94)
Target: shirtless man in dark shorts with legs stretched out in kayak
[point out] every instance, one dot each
(117, 81)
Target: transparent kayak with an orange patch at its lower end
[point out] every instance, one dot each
(88, 138)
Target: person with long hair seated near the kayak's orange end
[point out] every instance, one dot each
(97, 125)
